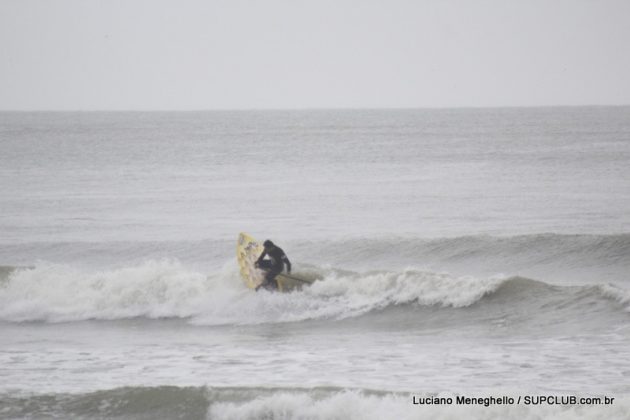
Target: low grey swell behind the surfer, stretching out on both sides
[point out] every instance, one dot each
(605, 256)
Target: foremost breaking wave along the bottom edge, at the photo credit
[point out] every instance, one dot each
(281, 403)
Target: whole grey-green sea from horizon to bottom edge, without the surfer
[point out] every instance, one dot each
(460, 253)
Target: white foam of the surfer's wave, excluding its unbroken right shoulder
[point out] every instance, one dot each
(166, 289)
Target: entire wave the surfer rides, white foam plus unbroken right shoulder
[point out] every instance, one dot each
(167, 289)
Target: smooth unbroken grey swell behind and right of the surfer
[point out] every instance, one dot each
(604, 255)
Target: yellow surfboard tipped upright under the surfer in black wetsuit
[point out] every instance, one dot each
(248, 250)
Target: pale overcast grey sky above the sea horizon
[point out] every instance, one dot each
(184, 54)
